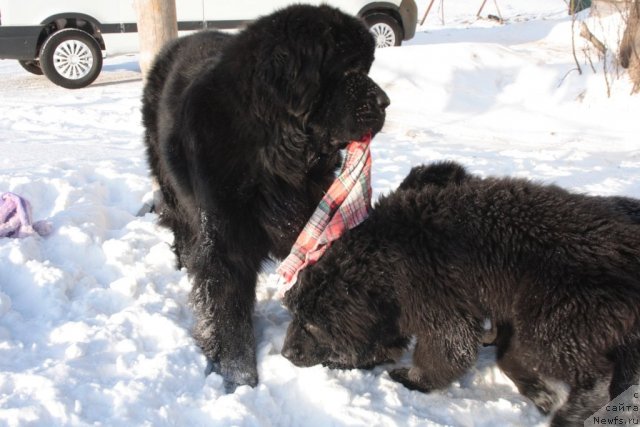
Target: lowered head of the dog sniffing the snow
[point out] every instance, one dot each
(340, 321)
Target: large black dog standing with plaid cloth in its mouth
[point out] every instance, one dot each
(243, 134)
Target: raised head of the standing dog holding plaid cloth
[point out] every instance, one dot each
(311, 69)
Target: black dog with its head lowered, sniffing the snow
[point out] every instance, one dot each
(558, 273)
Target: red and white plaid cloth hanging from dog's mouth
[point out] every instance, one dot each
(345, 205)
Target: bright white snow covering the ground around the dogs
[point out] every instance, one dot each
(94, 322)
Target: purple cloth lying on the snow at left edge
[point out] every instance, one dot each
(15, 218)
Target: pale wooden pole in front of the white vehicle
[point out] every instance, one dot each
(157, 24)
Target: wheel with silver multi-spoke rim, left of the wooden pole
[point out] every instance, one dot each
(71, 58)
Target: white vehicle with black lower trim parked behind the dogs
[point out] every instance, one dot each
(66, 39)
